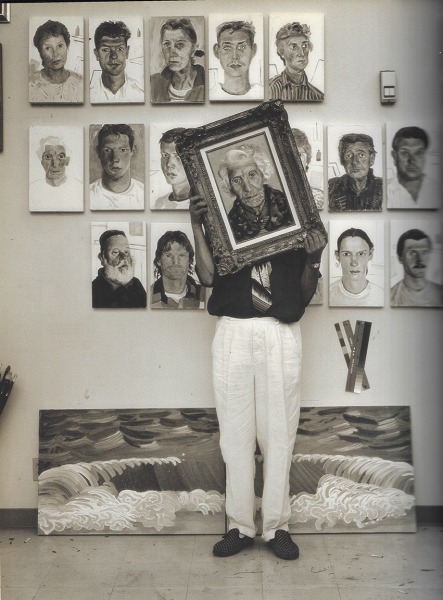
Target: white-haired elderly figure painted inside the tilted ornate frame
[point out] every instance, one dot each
(258, 208)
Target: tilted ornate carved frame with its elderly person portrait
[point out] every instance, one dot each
(254, 149)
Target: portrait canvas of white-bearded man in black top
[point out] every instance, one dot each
(118, 265)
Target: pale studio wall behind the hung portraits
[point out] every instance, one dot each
(68, 355)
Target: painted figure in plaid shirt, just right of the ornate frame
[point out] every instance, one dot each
(358, 188)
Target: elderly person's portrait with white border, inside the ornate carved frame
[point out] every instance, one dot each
(251, 188)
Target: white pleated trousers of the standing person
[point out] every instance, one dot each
(256, 371)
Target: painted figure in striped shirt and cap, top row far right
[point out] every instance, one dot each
(293, 42)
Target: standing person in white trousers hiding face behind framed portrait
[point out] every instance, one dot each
(256, 355)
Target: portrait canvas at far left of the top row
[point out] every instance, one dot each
(56, 60)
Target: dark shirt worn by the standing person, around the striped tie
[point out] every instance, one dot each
(232, 294)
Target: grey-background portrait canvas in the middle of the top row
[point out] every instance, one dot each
(177, 60)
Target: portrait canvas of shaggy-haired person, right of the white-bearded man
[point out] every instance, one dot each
(174, 282)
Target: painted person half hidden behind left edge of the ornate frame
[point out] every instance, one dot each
(174, 174)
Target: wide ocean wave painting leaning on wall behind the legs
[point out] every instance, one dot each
(152, 471)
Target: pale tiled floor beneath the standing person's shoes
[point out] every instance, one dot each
(331, 567)
